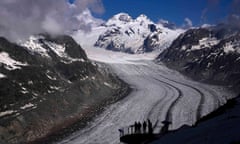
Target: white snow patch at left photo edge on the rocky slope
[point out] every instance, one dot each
(10, 63)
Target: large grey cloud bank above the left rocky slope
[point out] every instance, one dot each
(21, 18)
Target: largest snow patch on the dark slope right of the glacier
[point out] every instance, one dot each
(206, 42)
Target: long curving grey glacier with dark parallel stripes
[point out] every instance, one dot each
(158, 94)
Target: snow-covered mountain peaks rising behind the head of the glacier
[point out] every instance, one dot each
(125, 34)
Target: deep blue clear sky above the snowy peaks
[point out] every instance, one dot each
(198, 11)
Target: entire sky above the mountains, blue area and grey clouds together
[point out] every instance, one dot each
(22, 18)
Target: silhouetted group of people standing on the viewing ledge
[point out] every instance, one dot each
(138, 128)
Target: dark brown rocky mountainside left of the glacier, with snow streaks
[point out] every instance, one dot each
(48, 83)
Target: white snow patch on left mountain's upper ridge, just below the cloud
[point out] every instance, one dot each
(34, 46)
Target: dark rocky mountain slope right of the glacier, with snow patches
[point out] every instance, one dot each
(210, 54)
